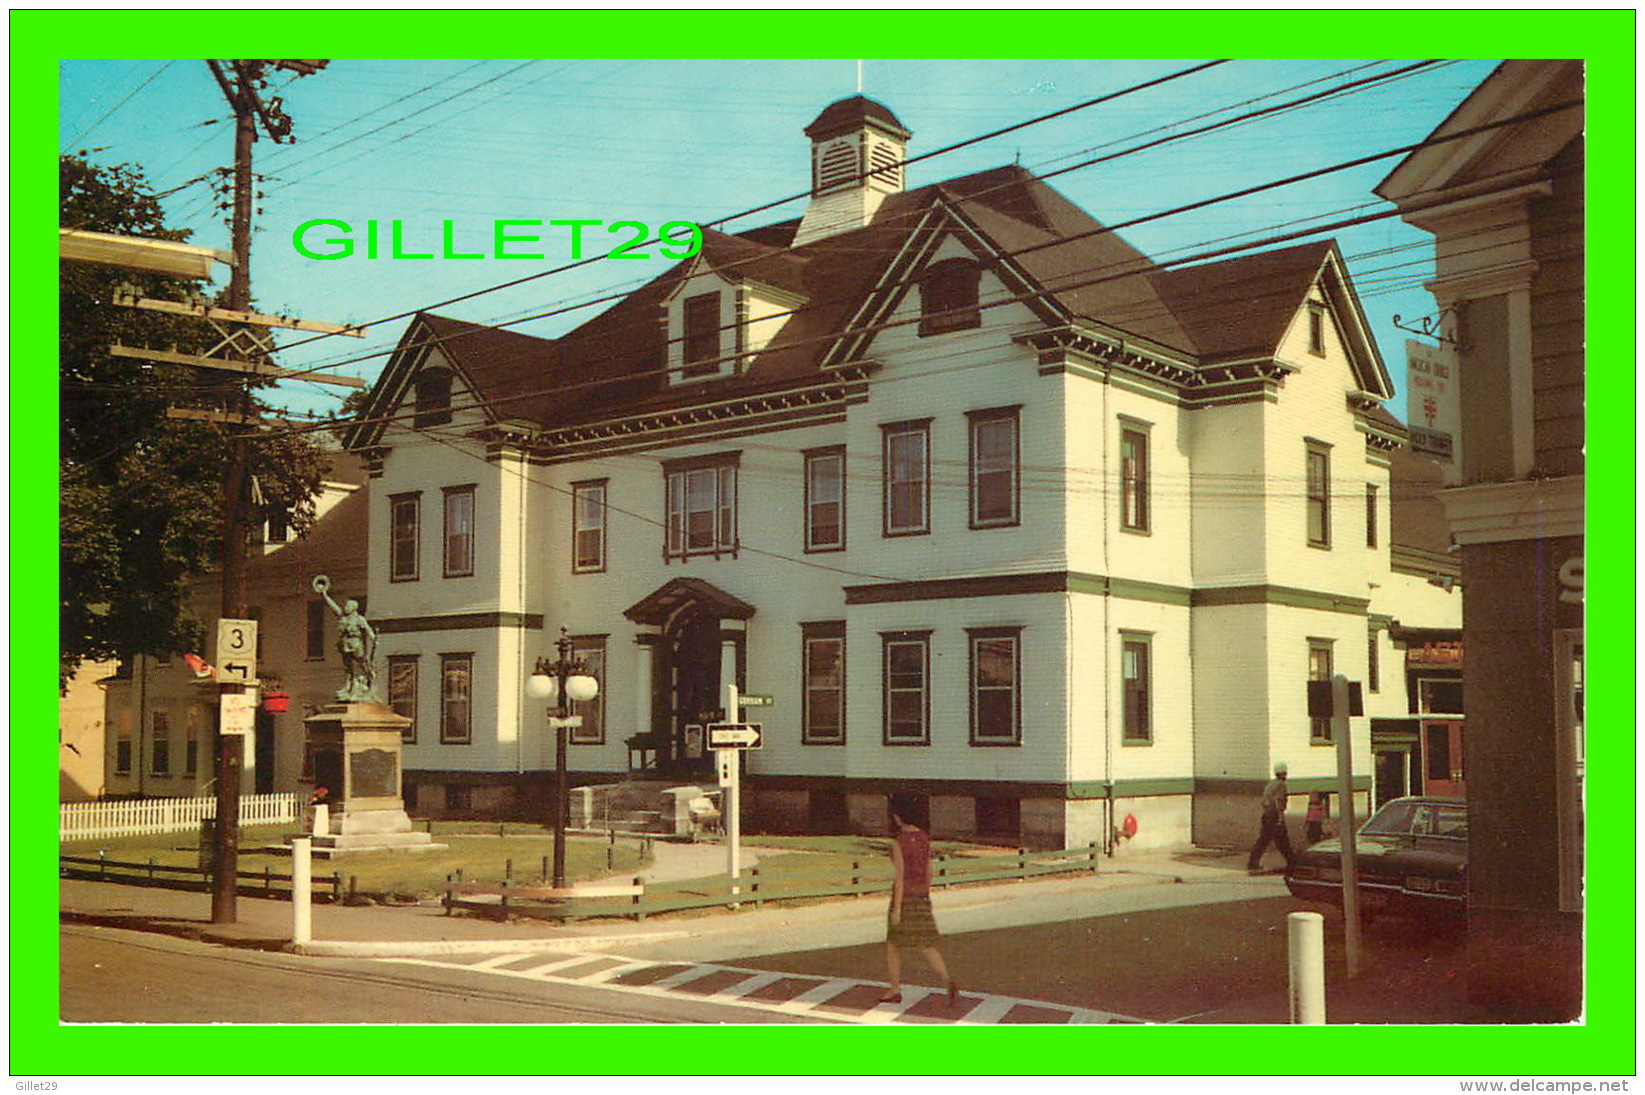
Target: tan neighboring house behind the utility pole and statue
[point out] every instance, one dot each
(162, 716)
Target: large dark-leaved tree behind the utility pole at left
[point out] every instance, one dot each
(142, 492)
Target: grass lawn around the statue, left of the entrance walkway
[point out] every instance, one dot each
(478, 852)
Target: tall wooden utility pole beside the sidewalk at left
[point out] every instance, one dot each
(239, 81)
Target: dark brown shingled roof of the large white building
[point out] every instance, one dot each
(614, 364)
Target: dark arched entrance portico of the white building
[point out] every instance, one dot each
(695, 635)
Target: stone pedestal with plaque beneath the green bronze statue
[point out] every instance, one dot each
(358, 757)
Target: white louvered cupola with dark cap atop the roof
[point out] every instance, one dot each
(858, 150)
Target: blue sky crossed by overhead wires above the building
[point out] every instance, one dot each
(695, 141)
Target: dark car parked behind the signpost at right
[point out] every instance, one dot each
(1411, 857)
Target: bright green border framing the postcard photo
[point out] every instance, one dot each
(1605, 1045)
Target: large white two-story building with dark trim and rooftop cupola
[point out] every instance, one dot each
(996, 509)
